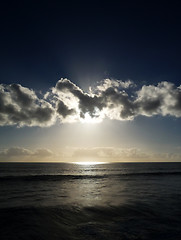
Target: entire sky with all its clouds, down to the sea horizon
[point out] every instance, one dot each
(90, 81)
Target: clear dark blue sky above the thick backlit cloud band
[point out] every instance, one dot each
(87, 41)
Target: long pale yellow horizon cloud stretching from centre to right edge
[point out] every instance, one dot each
(120, 154)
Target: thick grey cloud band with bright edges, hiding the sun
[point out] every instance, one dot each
(66, 102)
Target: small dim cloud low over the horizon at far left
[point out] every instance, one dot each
(21, 154)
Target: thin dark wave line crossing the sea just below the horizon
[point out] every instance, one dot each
(74, 177)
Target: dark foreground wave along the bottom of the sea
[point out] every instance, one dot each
(129, 221)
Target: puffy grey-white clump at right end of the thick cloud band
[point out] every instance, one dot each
(163, 99)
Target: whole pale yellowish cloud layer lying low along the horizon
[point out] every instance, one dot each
(73, 154)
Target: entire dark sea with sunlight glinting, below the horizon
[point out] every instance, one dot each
(109, 201)
